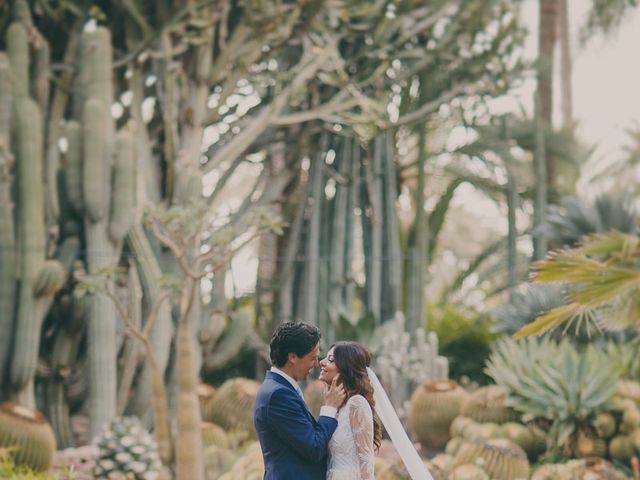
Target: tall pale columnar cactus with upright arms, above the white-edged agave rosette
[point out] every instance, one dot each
(107, 218)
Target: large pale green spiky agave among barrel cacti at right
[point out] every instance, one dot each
(553, 382)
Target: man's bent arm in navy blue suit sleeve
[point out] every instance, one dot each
(287, 418)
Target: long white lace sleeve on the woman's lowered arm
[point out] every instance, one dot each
(361, 422)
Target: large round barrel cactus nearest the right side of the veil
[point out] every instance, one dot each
(433, 407)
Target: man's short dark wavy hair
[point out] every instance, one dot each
(292, 337)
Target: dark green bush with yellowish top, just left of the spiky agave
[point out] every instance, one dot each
(465, 339)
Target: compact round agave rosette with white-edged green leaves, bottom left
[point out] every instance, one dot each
(126, 449)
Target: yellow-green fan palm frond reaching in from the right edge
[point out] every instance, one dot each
(602, 280)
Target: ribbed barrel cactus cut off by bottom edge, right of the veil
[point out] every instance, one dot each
(500, 458)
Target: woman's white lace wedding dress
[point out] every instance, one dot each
(351, 446)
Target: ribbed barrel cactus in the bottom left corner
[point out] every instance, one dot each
(28, 436)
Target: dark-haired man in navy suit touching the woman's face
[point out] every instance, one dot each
(294, 445)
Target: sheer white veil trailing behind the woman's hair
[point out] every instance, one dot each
(389, 418)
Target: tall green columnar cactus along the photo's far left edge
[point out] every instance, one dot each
(35, 284)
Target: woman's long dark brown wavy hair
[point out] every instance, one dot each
(352, 360)
